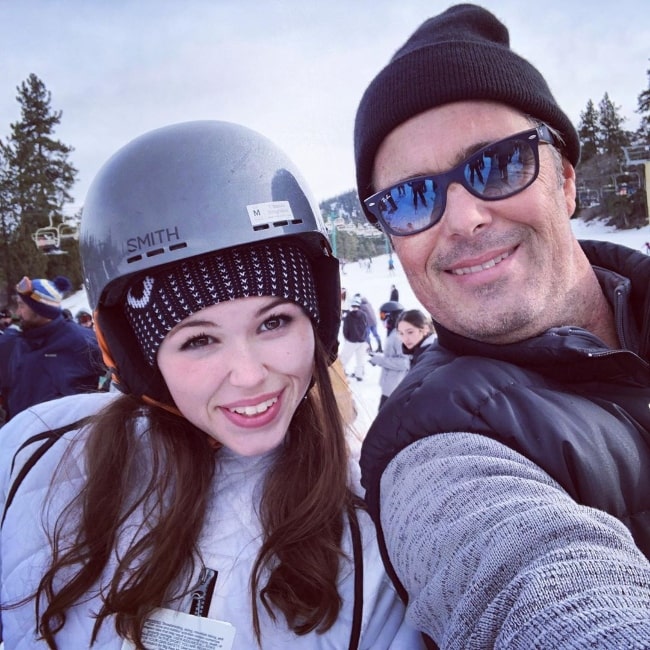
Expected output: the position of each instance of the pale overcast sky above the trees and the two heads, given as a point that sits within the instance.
(291, 69)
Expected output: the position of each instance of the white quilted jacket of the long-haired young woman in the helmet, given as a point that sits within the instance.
(229, 544)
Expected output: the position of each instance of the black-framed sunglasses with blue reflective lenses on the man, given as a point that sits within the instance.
(497, 171)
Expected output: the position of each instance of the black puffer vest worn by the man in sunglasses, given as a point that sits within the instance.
(573, 406)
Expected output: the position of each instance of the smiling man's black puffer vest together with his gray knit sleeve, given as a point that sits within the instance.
(553, 423)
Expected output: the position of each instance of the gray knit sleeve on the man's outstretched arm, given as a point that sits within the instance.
(495, 554)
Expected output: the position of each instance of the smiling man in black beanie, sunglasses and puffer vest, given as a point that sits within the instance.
(534, 403)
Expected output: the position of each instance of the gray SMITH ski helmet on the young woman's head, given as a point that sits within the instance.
(182, 191)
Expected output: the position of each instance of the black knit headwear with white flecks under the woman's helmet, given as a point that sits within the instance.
(156, 303)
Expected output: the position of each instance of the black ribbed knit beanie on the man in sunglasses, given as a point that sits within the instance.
(461, 54)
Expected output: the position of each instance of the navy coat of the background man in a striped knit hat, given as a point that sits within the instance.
(46, 362)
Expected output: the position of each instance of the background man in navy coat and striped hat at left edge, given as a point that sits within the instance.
(52, 356)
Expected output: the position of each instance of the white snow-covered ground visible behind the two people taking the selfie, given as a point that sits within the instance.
(375, 285)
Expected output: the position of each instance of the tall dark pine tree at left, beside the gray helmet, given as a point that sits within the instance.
(36, 179)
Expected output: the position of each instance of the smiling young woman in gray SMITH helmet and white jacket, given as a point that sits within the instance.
(213, 503)
